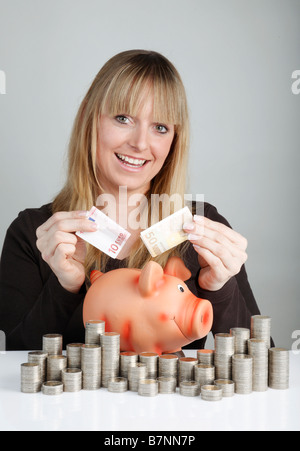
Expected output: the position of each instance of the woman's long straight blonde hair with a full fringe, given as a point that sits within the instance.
(118, 88)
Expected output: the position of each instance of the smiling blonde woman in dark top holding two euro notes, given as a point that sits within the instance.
(131, 131)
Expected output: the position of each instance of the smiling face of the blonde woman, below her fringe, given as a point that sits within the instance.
(131, 150)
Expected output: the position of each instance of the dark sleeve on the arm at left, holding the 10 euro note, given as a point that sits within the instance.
(32, 301)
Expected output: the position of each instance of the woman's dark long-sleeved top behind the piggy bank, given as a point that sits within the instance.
(33, 303)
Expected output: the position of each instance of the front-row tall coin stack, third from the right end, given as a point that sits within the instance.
(242, 373)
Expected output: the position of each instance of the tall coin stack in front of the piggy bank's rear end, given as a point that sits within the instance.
(110, 343)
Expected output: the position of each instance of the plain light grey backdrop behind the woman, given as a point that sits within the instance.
(236, 59)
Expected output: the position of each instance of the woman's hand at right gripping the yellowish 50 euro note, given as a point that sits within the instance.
(221, 251)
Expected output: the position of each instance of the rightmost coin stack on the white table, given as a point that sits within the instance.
(278, 368)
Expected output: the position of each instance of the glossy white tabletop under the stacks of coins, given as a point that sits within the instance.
(104, 411)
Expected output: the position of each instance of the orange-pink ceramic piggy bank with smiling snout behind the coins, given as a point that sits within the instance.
(152, 309)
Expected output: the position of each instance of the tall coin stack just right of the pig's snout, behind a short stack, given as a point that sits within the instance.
(224, 350)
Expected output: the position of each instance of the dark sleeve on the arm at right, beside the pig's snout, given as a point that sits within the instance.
(234, 304)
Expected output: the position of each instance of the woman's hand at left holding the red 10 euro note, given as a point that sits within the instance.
(63, 250)
